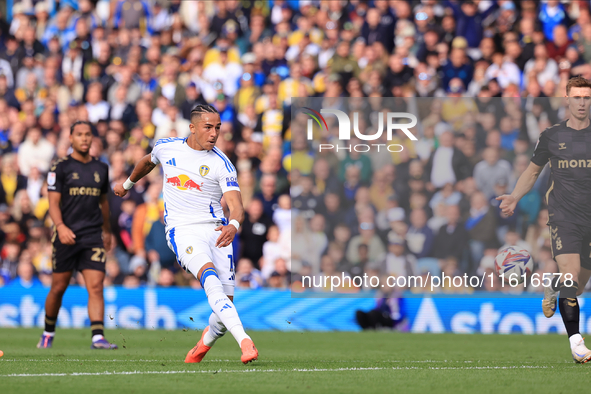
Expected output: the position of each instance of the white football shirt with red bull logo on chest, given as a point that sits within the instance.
(194, 182)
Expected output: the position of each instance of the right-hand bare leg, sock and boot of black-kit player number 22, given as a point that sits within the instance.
(96, 308)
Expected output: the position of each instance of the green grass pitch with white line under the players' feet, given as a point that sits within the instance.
(367, 362)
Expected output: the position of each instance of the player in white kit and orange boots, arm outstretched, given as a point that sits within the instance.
(196, 176)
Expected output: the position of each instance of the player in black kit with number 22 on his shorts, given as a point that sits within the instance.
(78, 187)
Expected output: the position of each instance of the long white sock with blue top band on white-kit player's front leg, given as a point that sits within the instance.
(222, 306)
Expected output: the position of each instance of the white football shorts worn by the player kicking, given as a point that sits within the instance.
(194, 246)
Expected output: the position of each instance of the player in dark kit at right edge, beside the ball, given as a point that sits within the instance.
(567, 146)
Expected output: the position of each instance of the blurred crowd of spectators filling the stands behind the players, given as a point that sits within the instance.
(478, 74)
